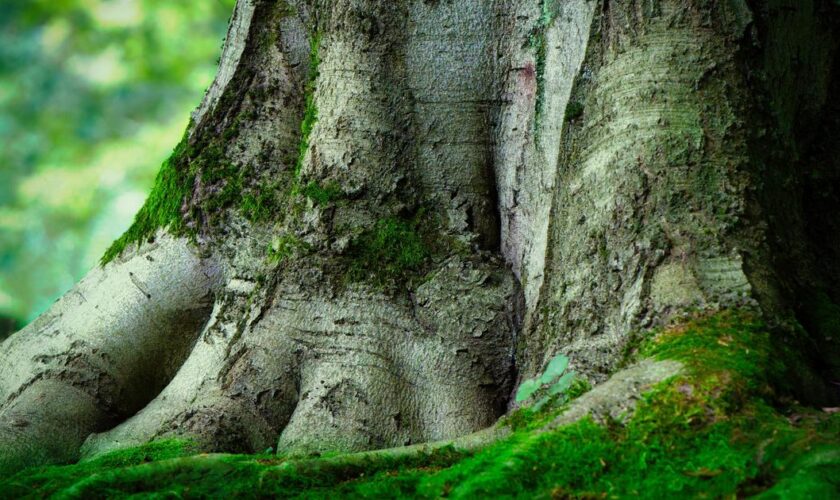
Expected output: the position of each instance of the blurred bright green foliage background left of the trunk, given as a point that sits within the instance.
(94, 94)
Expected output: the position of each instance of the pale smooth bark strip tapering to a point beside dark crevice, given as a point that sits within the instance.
(527, 152)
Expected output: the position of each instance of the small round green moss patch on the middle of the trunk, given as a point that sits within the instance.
(394, 249)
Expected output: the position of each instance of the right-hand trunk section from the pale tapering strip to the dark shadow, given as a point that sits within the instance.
(660, 173)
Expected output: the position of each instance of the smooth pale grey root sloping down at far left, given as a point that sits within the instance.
(101, 352)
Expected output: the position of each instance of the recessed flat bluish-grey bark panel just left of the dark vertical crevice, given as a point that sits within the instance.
(450, 63)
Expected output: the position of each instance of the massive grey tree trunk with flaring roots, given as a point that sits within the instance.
(384, 214)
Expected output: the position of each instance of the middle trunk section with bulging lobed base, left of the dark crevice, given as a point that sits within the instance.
(323, 347)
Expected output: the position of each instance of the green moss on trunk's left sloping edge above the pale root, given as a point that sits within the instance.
(200, 182)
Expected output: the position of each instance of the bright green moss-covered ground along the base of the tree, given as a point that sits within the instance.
(722, 429)
